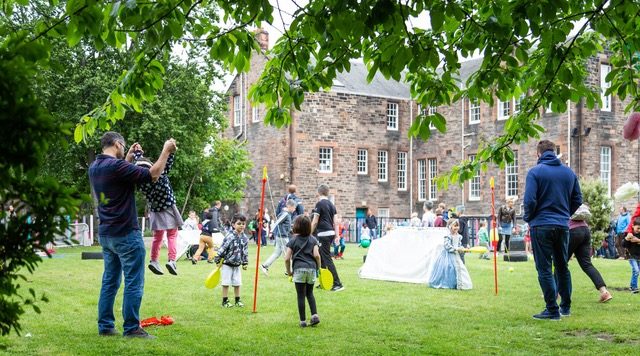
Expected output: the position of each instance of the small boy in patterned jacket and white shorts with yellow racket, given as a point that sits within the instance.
(235, 252)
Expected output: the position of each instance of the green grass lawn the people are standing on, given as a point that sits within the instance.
(369, 317)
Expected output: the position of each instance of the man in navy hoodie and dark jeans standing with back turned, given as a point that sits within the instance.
(552, 194)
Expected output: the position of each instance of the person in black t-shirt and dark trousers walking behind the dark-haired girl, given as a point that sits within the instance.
(324, 226)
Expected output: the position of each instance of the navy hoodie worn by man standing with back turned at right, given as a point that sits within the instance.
(552, 193)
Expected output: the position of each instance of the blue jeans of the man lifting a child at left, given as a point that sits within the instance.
(122, 254)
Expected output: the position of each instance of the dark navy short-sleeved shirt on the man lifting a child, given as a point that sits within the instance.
(114, 181)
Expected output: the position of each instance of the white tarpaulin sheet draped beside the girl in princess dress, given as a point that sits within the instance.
(405, 254)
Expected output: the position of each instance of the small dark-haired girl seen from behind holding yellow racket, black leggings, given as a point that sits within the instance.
(304, 254)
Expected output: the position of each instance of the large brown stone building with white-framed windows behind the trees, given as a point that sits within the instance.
(354, 138)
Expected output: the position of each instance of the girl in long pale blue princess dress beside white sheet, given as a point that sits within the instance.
(448, 270)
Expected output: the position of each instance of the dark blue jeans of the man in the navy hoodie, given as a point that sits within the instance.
(550, 244)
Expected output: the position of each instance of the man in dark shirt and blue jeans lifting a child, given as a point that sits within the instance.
(114, 178)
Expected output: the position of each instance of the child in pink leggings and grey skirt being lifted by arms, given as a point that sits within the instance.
(163, 214)
